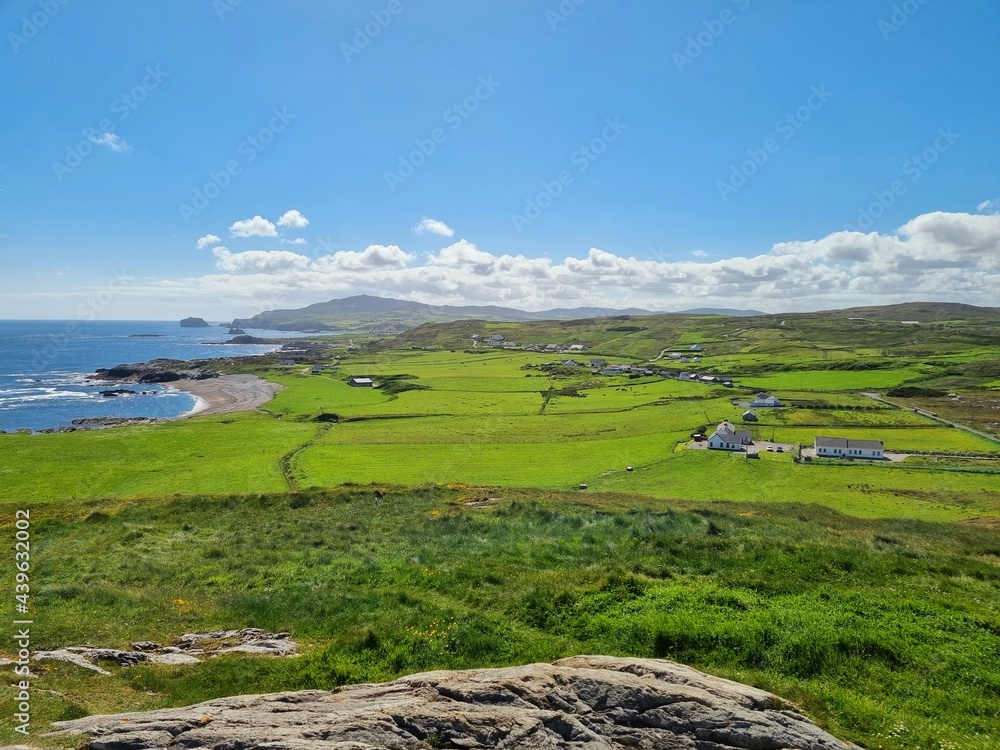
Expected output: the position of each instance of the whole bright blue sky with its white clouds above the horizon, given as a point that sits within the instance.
(744, 153)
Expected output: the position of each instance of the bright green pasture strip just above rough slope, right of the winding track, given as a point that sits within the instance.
(659, 471)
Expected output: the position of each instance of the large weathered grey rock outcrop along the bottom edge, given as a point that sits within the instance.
(590, 702)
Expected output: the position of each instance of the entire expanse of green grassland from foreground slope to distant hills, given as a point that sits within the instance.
(865, 592)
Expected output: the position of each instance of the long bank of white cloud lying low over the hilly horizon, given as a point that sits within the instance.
(935, 257)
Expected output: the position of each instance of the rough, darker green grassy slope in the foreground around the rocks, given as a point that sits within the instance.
(867, 625)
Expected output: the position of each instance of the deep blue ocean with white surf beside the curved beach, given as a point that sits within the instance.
(44, 363)
